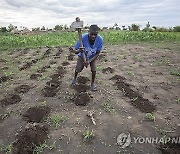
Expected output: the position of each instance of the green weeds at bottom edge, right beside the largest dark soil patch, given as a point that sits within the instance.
(40, 149)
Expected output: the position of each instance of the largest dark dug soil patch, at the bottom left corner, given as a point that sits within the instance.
(33, 135)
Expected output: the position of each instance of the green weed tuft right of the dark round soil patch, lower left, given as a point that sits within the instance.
(56, 120)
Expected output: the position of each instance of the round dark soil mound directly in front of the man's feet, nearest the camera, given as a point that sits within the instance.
(81, 99)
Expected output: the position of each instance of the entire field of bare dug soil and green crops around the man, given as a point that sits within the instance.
(138, 81)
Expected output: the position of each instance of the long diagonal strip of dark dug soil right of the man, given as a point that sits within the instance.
(144, 105)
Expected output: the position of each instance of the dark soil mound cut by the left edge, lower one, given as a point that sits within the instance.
(10, 99)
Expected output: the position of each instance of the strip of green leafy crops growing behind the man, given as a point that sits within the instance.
(11, 41)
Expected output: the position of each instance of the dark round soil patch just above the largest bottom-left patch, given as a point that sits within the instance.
(36, 113)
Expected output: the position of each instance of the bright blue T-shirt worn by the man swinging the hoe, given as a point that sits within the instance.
(90, 50)
